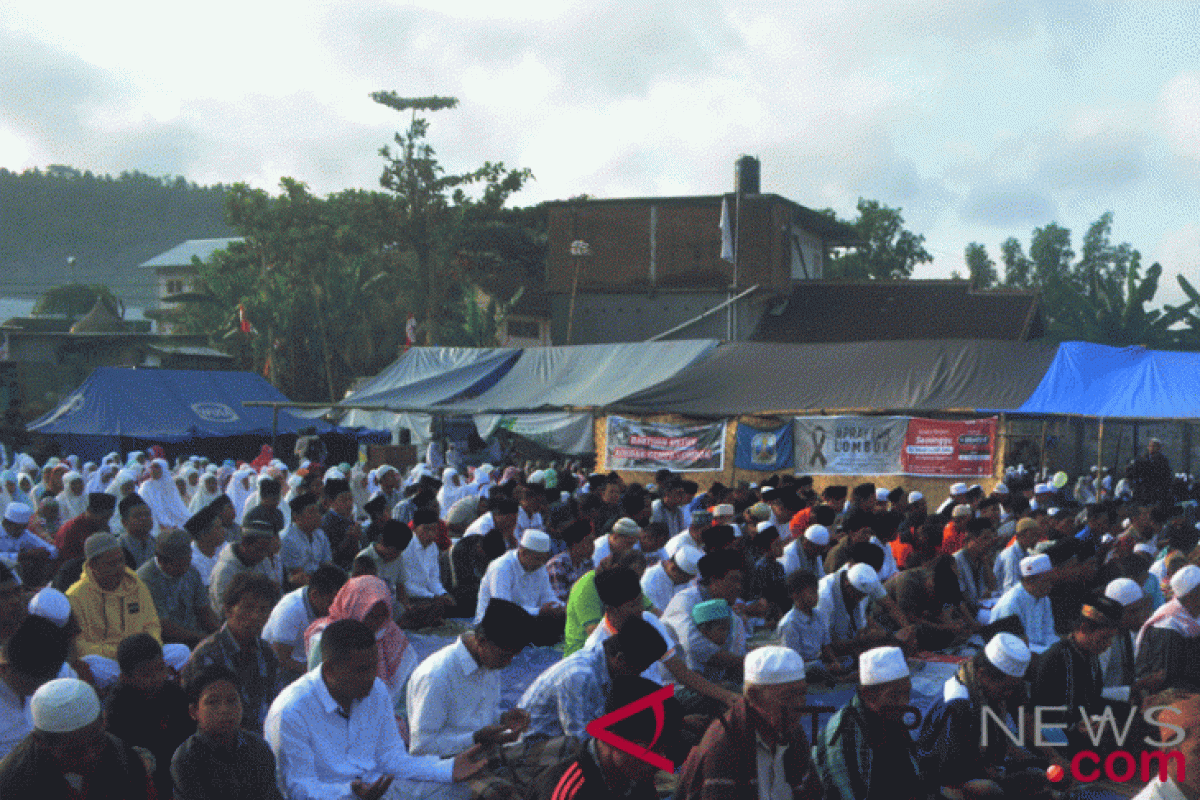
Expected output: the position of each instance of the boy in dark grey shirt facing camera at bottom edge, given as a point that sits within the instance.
(221, 761)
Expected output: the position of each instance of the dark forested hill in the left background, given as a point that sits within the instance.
(110, 226)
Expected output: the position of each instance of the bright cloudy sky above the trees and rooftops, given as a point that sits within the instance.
(982, 121)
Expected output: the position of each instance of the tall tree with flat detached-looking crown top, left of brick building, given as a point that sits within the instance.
(434, 215)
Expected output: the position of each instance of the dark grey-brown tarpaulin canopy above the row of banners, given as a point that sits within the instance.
(916, 376)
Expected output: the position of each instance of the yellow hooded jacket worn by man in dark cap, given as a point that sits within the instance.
(109, 617)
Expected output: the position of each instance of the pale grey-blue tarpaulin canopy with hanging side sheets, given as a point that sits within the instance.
(509, 388)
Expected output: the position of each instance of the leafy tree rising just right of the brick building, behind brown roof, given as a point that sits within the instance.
(889, 251)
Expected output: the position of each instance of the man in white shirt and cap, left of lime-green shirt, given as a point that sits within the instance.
(520, 576)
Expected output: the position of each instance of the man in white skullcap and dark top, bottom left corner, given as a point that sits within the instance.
(69, 751)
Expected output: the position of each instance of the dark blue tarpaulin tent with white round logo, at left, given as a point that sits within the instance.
(184, 411)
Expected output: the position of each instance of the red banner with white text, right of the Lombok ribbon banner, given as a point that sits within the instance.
(950, 448)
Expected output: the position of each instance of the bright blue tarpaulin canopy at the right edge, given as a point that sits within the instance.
(1117, 383)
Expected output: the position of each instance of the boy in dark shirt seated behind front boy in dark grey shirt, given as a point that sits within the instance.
(146, 709)
